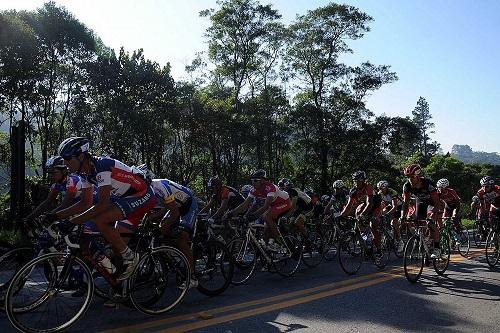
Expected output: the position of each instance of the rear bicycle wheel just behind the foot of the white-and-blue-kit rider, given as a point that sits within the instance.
(214, 267)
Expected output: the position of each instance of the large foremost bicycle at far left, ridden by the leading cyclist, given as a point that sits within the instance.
(38, 286)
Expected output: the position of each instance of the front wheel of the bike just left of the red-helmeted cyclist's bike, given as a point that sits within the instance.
(351, 252)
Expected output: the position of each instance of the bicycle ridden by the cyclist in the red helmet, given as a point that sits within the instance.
(418, 248)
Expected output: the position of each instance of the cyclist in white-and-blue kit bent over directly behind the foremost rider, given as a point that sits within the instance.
(177, 215)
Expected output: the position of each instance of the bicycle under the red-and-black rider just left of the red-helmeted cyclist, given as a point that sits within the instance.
(356, 246)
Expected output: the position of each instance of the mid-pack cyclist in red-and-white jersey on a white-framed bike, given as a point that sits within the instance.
(276, 204)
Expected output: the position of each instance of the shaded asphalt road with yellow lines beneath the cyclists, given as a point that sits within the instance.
(325, 299)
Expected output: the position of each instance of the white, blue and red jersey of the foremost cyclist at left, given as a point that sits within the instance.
(108, 171)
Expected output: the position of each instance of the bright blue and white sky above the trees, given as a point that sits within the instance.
(446, 51)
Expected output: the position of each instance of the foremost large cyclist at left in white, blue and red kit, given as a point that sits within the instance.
(121, 195)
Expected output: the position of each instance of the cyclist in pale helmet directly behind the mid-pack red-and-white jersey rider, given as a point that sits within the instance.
(302, 206)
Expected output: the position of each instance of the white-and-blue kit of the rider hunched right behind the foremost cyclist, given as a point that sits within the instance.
(168, 191)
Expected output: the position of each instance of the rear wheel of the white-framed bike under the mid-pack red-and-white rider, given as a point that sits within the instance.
(287, 262)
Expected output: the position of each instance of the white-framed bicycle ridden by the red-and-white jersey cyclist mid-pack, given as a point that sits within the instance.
(248, 249)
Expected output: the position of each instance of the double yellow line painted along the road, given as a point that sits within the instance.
(259, 306)
